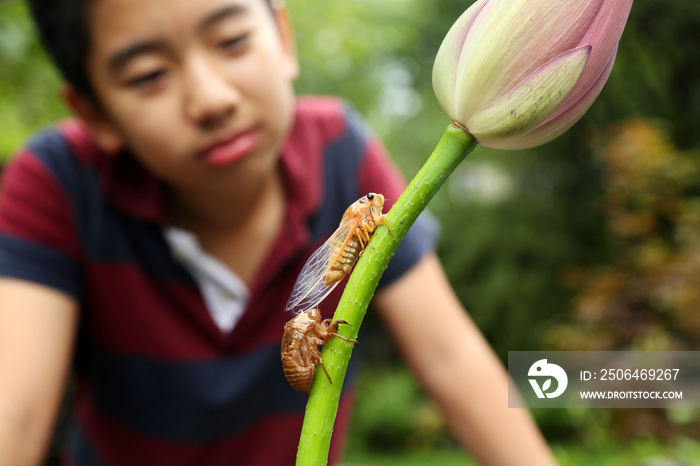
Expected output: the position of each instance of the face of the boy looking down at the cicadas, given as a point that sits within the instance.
(199, 90)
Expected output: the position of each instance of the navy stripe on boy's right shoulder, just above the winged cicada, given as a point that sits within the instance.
(341, 164)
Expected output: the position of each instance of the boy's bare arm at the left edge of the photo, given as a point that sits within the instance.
(37, 329)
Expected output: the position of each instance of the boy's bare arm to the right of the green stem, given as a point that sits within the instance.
(458, 368)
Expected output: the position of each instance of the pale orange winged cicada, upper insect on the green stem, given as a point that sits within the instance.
(335, 258)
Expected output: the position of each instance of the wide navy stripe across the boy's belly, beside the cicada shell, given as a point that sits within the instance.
(195, 401)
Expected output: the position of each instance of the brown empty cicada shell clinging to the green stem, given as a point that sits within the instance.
(300, 355)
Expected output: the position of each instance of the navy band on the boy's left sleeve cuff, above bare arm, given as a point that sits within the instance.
(30, 261)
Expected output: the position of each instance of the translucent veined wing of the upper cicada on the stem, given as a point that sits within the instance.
(309, 290)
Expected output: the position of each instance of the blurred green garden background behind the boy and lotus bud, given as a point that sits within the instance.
(590, 242)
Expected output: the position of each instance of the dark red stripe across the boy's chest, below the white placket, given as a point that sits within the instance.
(168, 320)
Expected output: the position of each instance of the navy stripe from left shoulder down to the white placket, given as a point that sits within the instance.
(106, 234)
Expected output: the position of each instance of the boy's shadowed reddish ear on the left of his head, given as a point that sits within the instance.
(101, 128)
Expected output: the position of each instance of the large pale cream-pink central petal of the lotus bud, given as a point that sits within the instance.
(510, 39)
